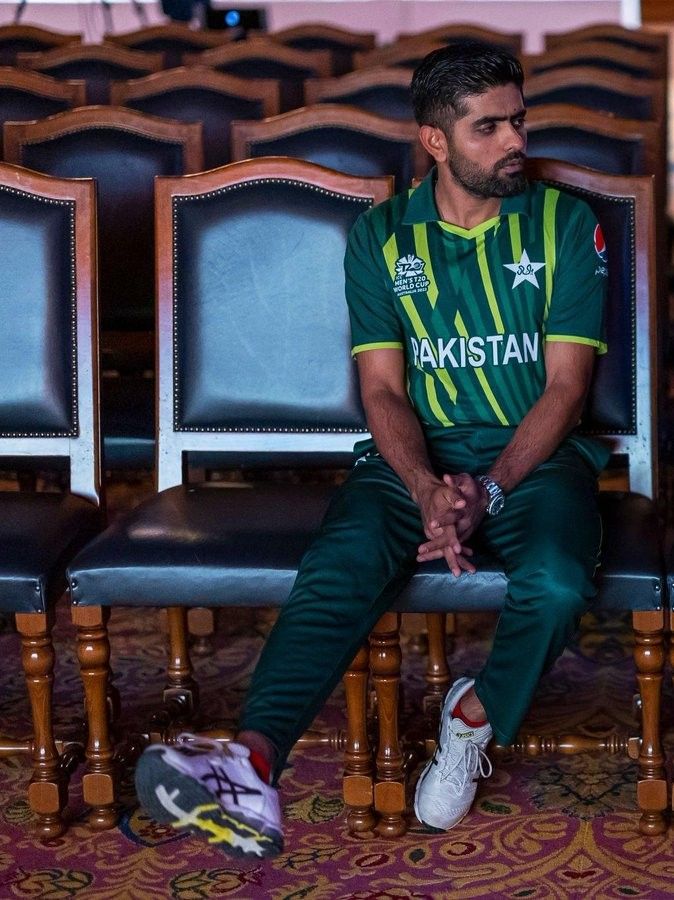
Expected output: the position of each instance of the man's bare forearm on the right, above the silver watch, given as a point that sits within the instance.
(538, 435)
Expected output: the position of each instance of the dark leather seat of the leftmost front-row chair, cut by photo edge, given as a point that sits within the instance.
(39, 533)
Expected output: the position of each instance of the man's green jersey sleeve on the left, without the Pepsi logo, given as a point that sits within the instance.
(374, 321)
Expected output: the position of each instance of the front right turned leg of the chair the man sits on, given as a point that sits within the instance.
(649, 657)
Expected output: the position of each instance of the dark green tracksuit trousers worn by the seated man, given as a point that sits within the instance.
(547, 536)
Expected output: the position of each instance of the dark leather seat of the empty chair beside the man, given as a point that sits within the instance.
(202, 546)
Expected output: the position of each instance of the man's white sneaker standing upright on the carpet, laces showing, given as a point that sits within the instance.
(446, 787)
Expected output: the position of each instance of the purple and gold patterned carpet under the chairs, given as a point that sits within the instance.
(558, 827)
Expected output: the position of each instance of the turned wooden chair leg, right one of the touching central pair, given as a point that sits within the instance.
(389, 789)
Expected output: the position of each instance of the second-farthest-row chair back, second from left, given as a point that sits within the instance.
(260, 58)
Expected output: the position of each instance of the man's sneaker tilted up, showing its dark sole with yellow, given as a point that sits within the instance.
(209, 788)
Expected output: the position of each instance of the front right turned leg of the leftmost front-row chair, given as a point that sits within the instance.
(48, 790)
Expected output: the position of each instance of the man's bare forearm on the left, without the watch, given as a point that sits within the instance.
(397, 433)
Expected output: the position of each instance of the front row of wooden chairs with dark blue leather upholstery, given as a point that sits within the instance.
(237, 388)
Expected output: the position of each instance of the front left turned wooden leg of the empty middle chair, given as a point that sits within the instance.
(93, 652)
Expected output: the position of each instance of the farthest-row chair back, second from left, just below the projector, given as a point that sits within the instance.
(172, 39)
